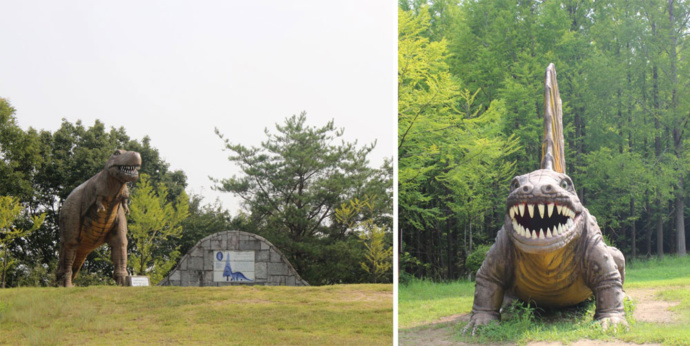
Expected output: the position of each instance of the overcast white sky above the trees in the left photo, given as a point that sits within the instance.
(174, 70)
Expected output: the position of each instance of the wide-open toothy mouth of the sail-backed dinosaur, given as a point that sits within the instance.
(542, 220)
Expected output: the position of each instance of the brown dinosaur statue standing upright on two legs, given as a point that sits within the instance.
(94, 214)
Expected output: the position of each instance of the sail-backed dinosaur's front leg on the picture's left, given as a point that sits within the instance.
(492, 281)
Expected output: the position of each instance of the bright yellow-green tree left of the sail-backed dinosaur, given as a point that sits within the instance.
(452, 154)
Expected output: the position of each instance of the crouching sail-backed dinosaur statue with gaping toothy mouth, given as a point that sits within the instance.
(550, 250)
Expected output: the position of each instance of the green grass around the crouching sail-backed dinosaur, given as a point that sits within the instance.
(424, 304)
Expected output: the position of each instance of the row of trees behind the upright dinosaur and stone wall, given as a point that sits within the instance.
(305, 189)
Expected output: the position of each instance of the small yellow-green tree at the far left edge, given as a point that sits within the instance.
(10, 211)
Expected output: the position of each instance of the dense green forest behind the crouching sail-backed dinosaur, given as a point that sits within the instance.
(470, 78)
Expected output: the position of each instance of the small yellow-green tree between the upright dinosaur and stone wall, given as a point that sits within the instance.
(153, 221)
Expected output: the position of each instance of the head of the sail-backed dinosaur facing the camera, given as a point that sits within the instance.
(543, 211)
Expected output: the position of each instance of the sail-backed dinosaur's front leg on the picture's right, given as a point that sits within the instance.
(605, 279)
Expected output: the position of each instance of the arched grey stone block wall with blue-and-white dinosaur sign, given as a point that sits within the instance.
(256, 262)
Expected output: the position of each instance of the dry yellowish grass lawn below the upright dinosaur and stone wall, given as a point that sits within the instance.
(341, 314)
